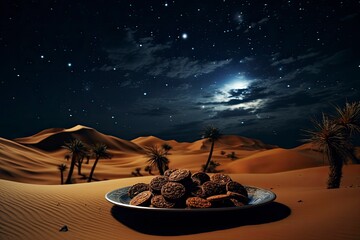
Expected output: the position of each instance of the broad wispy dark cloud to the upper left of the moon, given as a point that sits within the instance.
(147, 56)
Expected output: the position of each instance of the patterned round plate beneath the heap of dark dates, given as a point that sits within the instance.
(257, 196)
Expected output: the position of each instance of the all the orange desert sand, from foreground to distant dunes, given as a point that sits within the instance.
(33, 204)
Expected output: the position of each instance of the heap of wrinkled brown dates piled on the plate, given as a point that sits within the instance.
(179, 188)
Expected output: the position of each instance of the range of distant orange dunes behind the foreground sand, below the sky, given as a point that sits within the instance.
(35, 159)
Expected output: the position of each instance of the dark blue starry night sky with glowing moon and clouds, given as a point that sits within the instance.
(259, 69)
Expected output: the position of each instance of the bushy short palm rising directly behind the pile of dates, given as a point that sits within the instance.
(157, 157)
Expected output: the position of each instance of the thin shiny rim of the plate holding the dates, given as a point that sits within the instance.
(271, 199)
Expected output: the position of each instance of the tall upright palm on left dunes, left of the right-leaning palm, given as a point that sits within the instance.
(77, 149)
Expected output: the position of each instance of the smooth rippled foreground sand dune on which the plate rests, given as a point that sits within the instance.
(304, 209)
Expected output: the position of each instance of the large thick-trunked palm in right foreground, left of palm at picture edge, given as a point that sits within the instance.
(331, 140)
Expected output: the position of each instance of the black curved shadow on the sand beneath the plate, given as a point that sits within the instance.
(183, 223)
